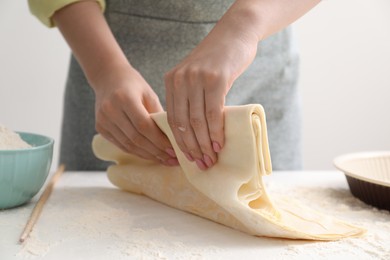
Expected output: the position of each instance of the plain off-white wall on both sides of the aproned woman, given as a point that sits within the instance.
(345, 77)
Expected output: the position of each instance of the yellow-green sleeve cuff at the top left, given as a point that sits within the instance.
(44, 9)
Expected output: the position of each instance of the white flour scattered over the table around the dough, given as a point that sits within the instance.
(109, 219)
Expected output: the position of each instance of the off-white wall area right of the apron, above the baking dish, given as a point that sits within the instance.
(345, 79)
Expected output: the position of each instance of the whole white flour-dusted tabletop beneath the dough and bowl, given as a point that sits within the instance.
(87, 217)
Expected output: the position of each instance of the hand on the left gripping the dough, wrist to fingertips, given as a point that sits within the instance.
(124, 101)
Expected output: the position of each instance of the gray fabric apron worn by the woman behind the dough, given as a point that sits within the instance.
(155, 36)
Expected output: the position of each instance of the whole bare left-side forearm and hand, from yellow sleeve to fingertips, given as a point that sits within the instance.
(124, 100)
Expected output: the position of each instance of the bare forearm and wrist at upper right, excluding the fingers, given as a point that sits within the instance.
(247, 22)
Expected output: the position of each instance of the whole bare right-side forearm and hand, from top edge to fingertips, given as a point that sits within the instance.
(196, 88)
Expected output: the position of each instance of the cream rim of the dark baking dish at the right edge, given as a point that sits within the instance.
(361, 155)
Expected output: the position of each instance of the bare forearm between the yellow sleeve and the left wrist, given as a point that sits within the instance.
(87, 33)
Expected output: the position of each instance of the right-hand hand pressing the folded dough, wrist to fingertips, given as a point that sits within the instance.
(196, 90)
